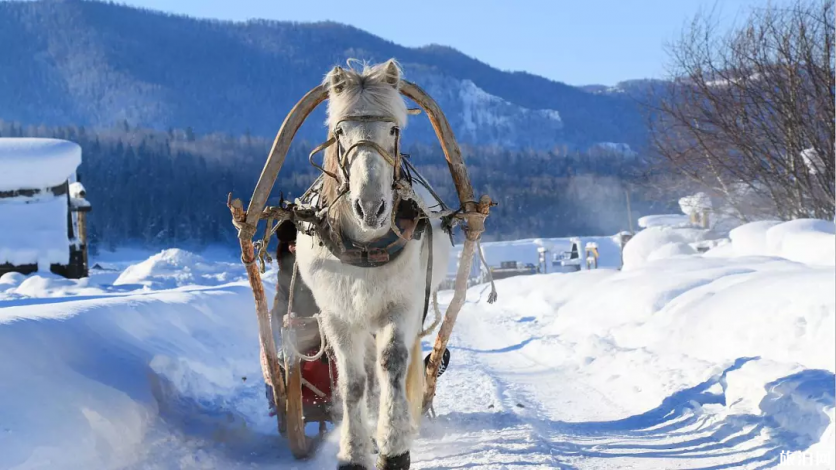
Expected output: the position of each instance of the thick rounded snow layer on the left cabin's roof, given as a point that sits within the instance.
(30, 163)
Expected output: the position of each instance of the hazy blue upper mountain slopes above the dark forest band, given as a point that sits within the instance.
(88, 63)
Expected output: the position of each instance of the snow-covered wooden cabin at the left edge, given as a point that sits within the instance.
(43, 208)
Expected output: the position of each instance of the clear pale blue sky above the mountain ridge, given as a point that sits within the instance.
(574, 41)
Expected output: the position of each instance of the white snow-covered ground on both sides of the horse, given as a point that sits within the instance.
(686, 360)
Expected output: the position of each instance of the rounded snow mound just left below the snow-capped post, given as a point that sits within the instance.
(658, 243)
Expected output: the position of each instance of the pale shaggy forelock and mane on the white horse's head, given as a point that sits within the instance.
(369, 90)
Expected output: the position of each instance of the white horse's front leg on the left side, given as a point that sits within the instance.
(349, 346)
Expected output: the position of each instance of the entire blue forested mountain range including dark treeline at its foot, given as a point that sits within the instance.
(173, 112)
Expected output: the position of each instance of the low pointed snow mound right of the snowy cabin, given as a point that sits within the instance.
(174, 268)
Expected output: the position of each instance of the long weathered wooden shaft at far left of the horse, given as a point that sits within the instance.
(269, 359)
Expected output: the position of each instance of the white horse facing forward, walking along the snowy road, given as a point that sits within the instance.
(365, 115)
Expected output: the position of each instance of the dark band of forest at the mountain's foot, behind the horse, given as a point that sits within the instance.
(157, 188)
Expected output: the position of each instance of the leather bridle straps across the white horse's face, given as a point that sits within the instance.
(344, 154)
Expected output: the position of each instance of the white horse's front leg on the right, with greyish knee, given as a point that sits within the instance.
(395, 426)
